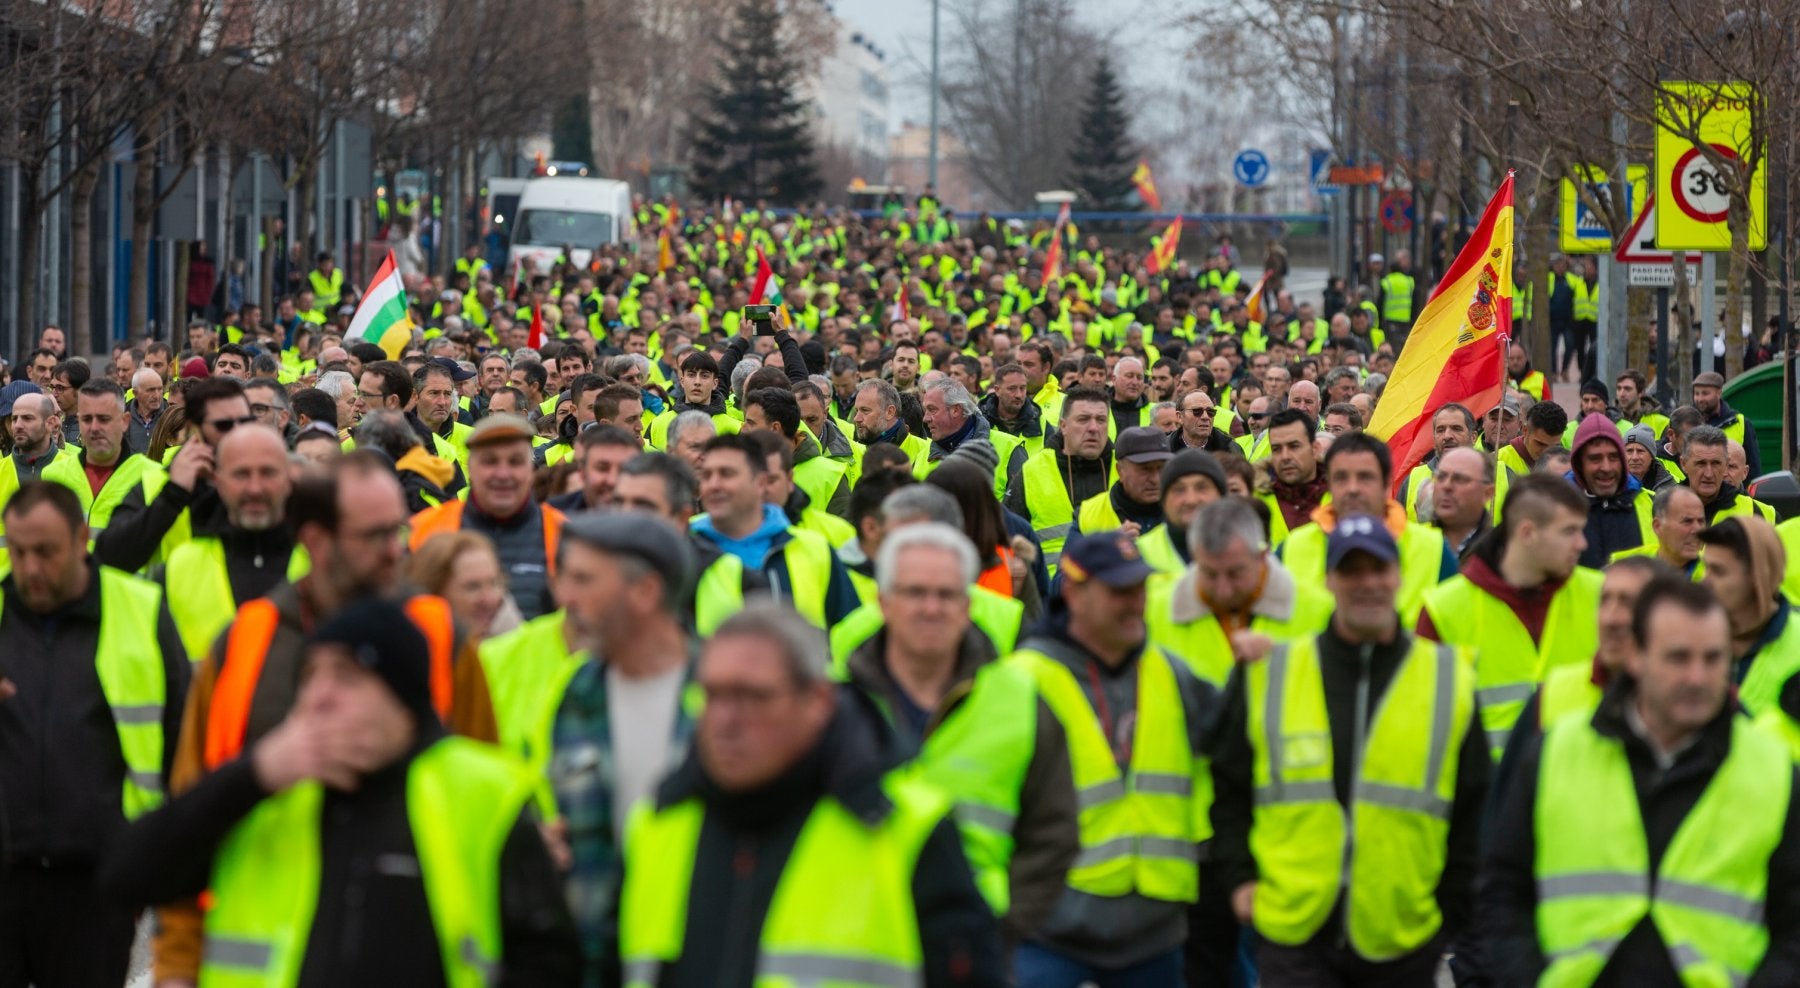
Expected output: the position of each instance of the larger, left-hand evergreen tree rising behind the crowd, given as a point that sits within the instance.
(755, 139)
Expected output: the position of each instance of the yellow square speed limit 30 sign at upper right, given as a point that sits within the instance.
(1695, 120)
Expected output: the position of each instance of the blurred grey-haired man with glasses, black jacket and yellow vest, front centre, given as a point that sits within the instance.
(782, 751)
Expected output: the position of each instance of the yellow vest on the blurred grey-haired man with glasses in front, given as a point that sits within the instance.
(843, 910)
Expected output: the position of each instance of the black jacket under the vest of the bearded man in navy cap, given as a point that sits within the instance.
(1340, 663)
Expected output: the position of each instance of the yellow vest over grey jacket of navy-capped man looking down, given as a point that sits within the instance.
(1142, 827)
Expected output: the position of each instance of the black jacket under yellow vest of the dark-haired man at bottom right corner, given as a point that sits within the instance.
(1509, 888)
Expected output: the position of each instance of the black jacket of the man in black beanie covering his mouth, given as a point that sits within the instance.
(373, 922)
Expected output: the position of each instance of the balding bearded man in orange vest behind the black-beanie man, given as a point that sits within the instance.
(352, 525)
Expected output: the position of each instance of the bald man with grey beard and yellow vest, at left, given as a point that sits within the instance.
(247, 553)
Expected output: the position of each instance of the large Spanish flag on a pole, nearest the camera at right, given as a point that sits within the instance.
(1459, 346)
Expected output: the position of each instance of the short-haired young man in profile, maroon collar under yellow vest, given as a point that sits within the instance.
(1522, 600)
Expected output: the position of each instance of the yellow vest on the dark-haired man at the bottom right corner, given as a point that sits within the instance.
(1709, 890)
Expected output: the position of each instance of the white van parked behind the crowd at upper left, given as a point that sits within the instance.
(570, 213)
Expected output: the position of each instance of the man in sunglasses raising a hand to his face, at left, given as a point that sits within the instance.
(147, 530)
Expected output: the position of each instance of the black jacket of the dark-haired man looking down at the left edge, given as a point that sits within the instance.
(62, 773)
